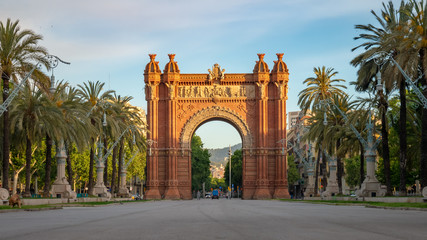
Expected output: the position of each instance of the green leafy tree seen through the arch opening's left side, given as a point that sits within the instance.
(200, 164)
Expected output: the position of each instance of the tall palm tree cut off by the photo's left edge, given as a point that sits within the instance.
(18, 49)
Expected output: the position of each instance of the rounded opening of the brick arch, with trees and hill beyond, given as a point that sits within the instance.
(218, 136)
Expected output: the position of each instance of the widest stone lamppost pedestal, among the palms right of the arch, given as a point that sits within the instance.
(371, 187)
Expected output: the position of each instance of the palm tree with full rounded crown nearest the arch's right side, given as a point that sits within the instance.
(320, 88)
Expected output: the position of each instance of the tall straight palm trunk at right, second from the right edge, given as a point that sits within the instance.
(403, 138)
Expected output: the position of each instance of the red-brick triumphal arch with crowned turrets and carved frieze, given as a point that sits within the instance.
(254, 103)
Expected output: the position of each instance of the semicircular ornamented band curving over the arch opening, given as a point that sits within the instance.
(219, 113)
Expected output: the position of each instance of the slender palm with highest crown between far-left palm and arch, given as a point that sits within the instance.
(91, 93)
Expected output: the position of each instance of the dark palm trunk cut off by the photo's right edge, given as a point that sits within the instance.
(423, 154)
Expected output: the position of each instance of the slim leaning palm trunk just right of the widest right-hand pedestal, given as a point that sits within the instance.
(386, 149)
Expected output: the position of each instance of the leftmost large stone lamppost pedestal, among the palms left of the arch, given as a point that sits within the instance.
(61, 188)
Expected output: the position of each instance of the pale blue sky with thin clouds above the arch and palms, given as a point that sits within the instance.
(110, 40)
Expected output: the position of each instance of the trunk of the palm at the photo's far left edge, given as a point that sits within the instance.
(6, 133)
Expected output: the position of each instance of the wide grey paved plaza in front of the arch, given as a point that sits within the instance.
(215, 219)
